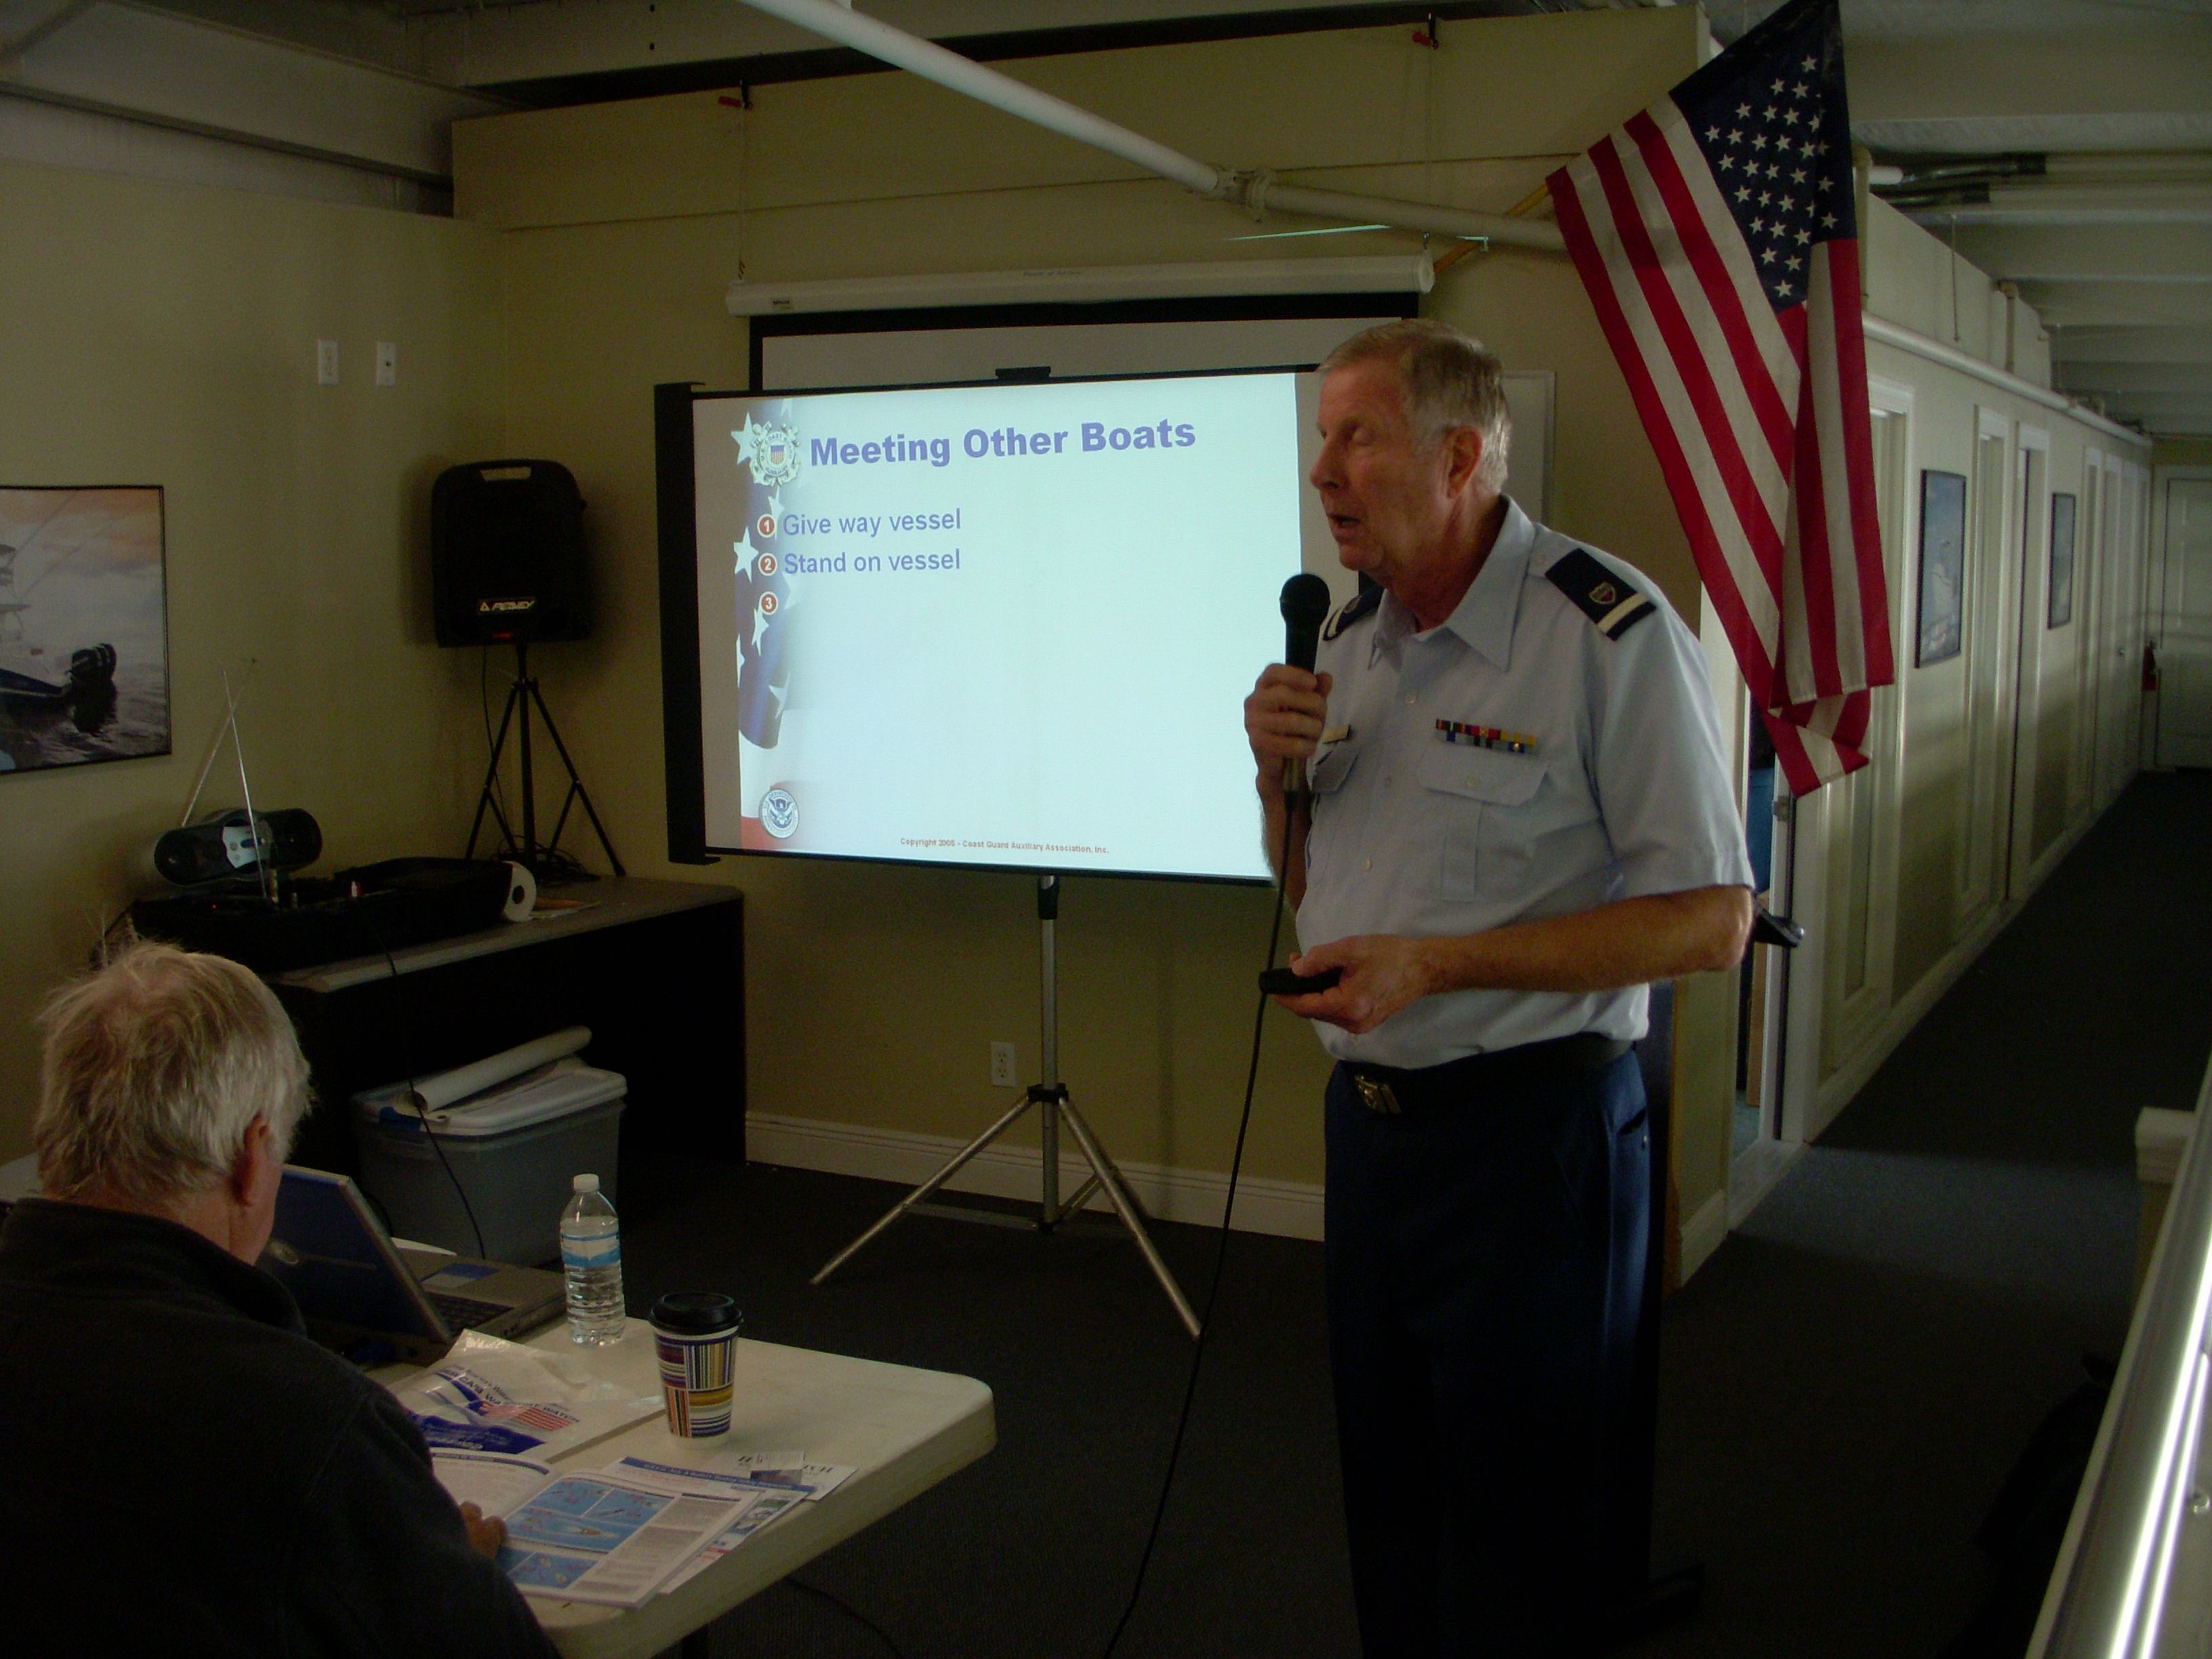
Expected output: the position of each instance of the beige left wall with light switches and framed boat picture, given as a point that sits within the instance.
(165, 335)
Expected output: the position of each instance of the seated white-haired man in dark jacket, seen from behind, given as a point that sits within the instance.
(185, 1472)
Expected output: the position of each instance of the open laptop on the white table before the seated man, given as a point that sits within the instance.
(357, 1286)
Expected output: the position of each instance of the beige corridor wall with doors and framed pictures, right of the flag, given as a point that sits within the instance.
(1912, 864)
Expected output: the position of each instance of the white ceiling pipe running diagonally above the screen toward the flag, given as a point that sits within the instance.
(1255, 191)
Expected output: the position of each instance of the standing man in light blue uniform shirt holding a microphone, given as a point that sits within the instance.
(1516, 820)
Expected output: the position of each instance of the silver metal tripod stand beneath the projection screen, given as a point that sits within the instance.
(1054, 1105)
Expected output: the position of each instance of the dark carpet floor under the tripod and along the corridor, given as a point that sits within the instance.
(1844, 1386)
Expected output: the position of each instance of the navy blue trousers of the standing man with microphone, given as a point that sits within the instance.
(1485, 1271)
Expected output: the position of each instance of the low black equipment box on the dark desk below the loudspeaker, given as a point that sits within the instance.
(359, 912)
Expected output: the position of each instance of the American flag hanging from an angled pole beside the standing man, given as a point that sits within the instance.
(1720, 247)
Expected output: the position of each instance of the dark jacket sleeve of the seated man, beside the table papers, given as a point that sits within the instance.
(384, 1565)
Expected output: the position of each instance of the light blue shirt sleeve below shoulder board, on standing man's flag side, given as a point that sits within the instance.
(1660, 766)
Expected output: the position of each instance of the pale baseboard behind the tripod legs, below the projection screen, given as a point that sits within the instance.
(1284, 1209)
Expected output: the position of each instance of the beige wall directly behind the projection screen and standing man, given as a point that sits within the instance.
(873, 994)
